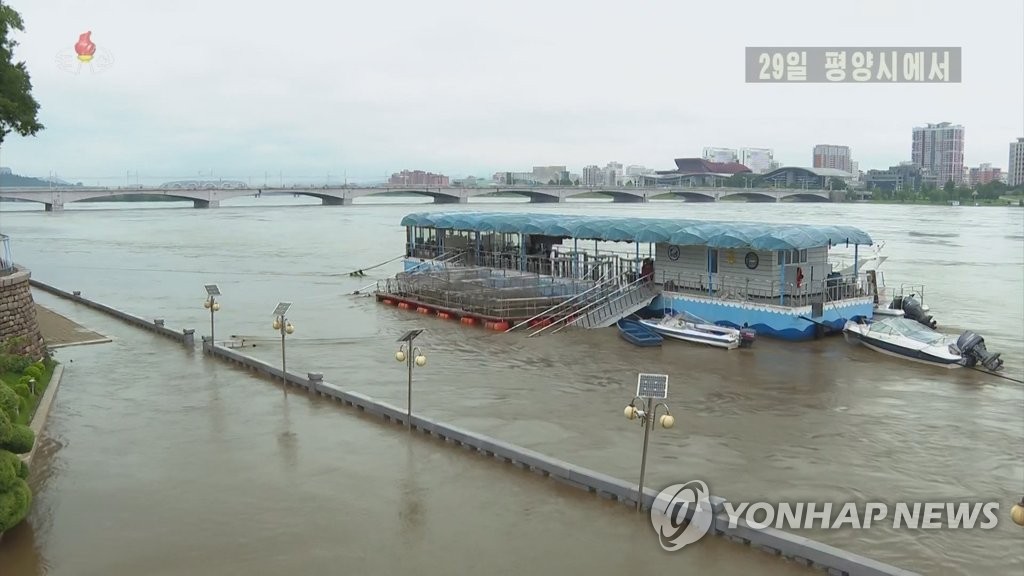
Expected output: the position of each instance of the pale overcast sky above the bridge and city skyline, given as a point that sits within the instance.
(309, 88)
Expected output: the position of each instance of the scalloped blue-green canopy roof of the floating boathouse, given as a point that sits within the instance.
(716, 234)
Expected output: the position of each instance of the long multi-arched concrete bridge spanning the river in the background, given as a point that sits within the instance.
(209, 197)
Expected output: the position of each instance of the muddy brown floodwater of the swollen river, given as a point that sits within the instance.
(162, 461)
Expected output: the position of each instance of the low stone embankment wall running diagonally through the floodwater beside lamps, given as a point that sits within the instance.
(774, 543)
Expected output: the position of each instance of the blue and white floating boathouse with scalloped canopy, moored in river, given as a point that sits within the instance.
(549, 272)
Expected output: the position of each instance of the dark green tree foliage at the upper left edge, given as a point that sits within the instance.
(19, 110)
